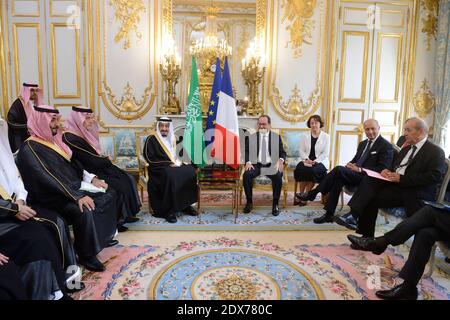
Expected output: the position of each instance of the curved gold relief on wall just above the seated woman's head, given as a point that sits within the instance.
(295, 109)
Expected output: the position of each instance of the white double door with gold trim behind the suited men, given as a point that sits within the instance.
(372, 50)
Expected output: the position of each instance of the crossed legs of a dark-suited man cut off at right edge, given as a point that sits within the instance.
(427, 225)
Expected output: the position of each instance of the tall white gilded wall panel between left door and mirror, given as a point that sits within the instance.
(127, 78)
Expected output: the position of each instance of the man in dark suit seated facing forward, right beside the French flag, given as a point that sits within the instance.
(264, 154)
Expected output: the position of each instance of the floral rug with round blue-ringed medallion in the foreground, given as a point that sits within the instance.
(226, 269)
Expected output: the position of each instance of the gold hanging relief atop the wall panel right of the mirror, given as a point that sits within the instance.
(300, 27)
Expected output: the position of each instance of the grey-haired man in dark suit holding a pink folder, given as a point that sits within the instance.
(417, 172)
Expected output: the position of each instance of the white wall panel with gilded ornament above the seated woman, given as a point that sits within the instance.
(297, 70)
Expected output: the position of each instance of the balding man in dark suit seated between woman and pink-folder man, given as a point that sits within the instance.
(374, 153)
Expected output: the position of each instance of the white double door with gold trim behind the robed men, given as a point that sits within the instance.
(45, 44)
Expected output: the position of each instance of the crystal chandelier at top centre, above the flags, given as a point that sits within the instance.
(210, 46)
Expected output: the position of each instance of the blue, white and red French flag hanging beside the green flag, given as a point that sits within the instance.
(226, 142)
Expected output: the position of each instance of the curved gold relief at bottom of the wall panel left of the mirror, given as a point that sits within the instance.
(129, 107)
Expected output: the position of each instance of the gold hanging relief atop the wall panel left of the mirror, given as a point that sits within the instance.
(128, 13)
